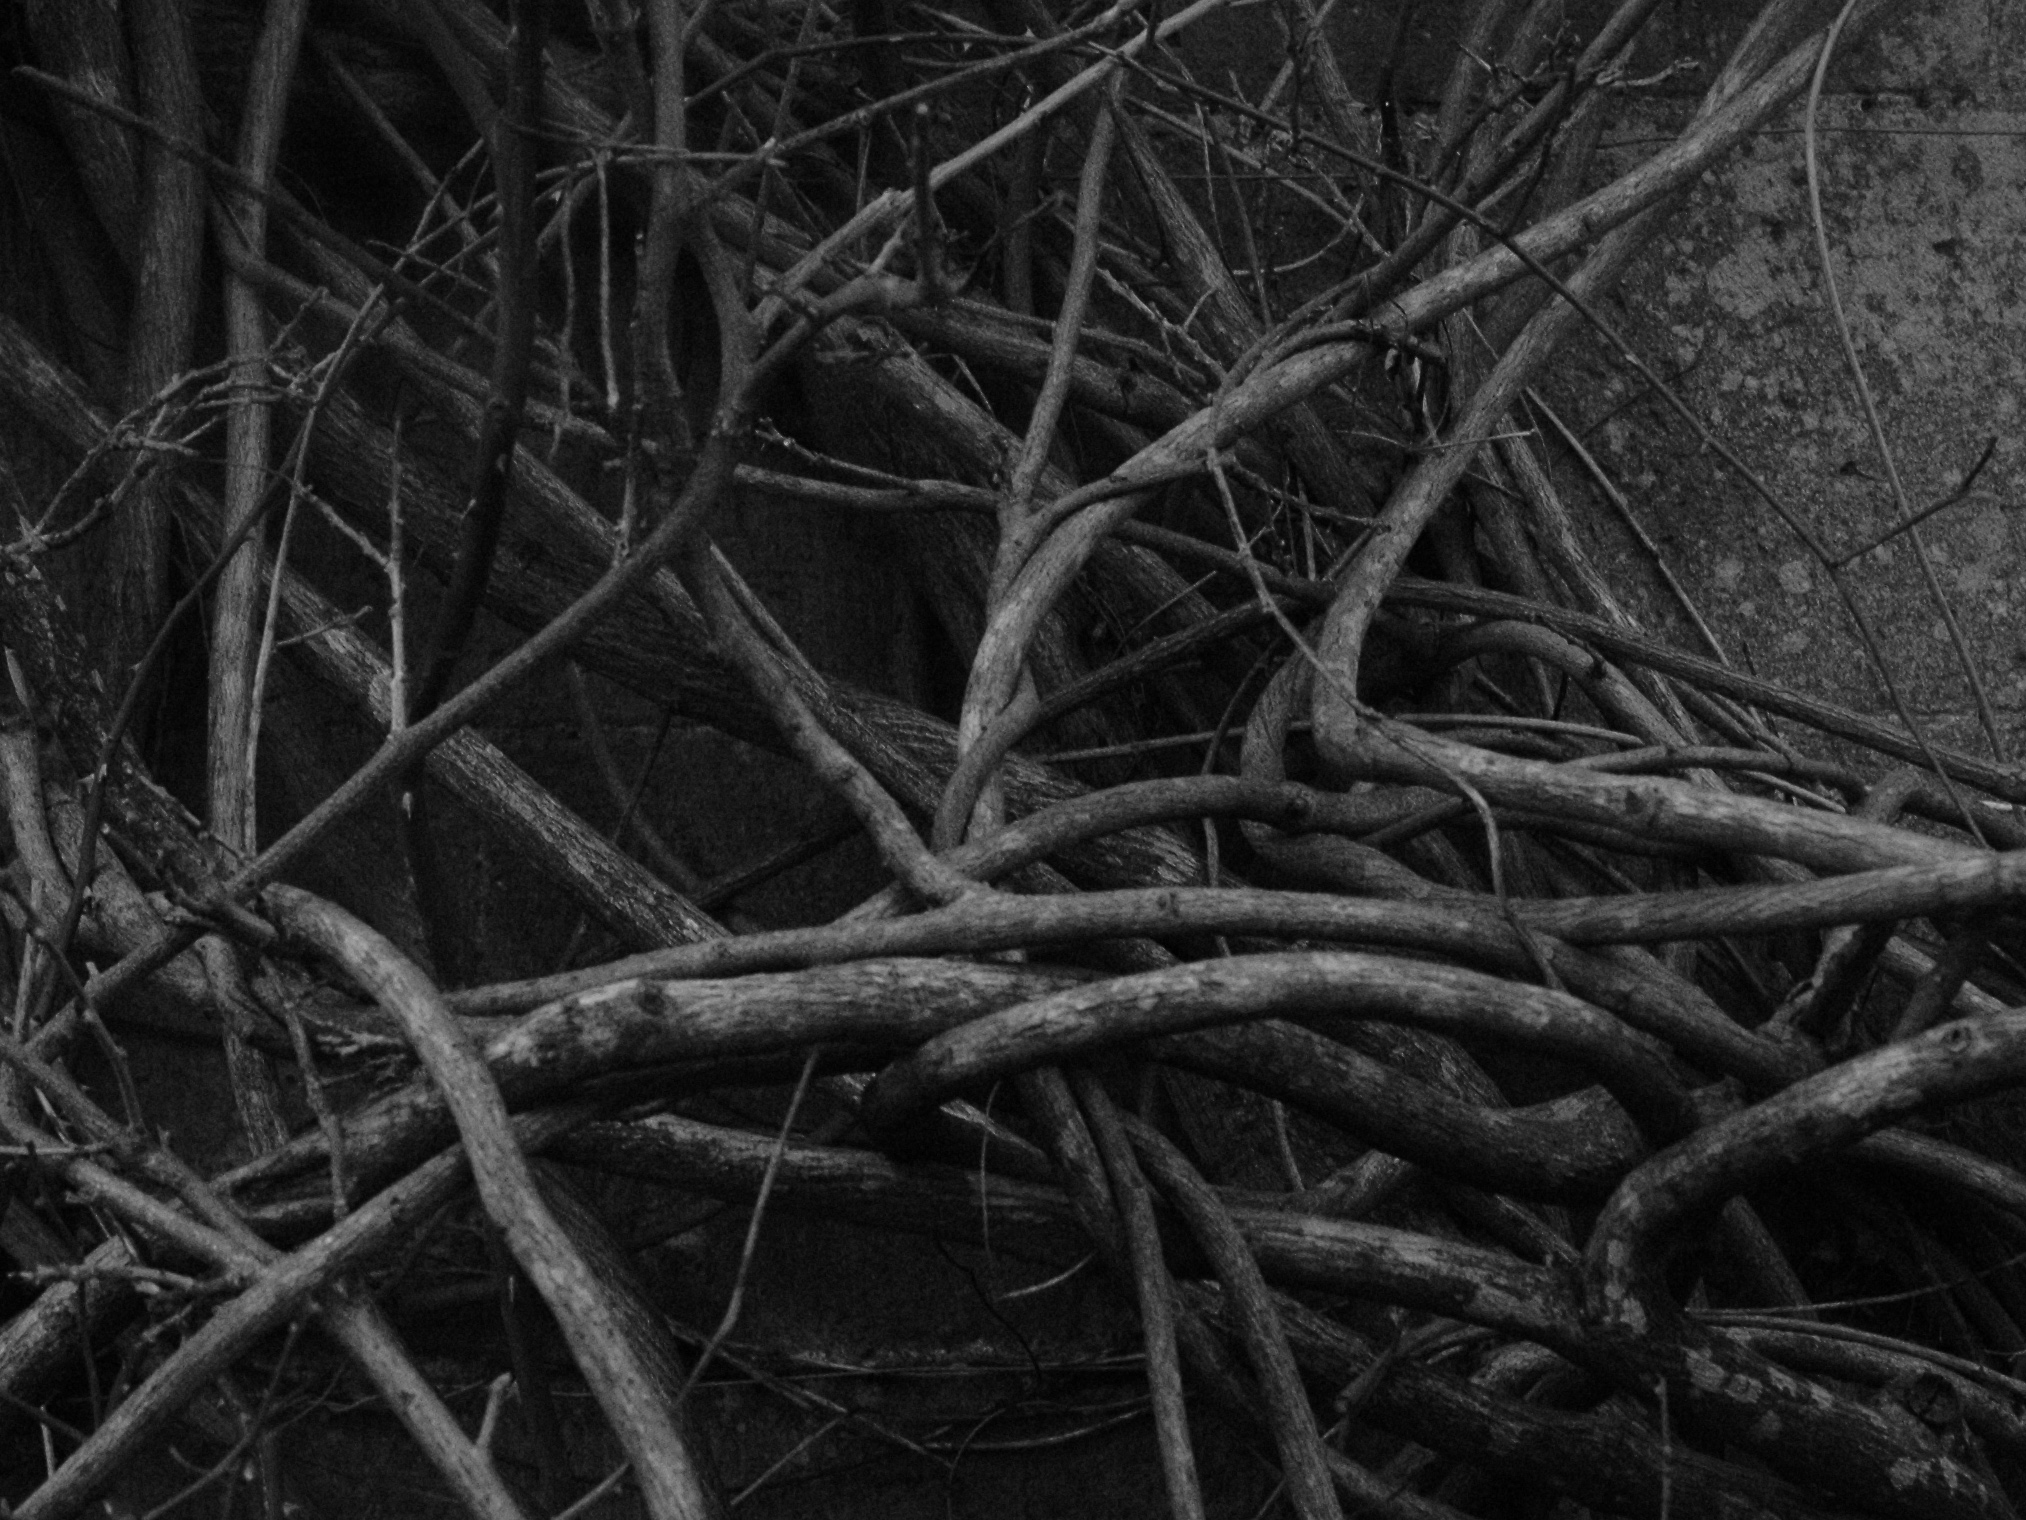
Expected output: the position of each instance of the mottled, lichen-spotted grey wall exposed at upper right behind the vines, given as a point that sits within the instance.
(1924, 187)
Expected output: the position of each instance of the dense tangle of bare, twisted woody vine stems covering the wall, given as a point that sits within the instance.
(1371, 787)
